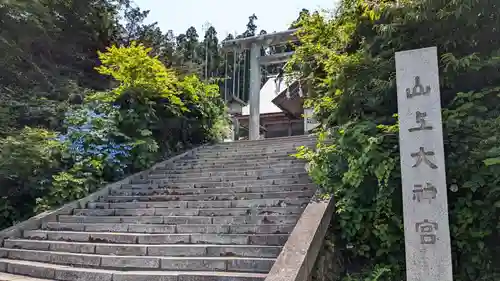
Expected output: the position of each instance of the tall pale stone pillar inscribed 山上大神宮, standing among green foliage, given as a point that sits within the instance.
(425, 212)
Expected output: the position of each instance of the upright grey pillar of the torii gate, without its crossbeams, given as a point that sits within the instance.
(254, 100)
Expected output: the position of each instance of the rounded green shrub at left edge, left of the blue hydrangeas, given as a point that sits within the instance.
(27, 161)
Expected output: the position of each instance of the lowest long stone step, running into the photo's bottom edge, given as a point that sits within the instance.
(69, 273)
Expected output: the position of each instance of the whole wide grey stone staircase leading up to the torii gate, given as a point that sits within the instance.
(221, 213)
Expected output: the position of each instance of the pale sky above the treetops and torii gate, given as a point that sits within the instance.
(227, 16)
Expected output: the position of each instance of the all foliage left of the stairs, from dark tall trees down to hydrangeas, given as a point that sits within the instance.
(75, 114)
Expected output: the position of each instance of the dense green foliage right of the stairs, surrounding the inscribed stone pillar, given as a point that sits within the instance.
(349, 61)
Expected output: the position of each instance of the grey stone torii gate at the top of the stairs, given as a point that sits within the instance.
(255, 43)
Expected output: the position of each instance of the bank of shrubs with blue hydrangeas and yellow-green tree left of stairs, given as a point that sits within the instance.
(110, 134)
